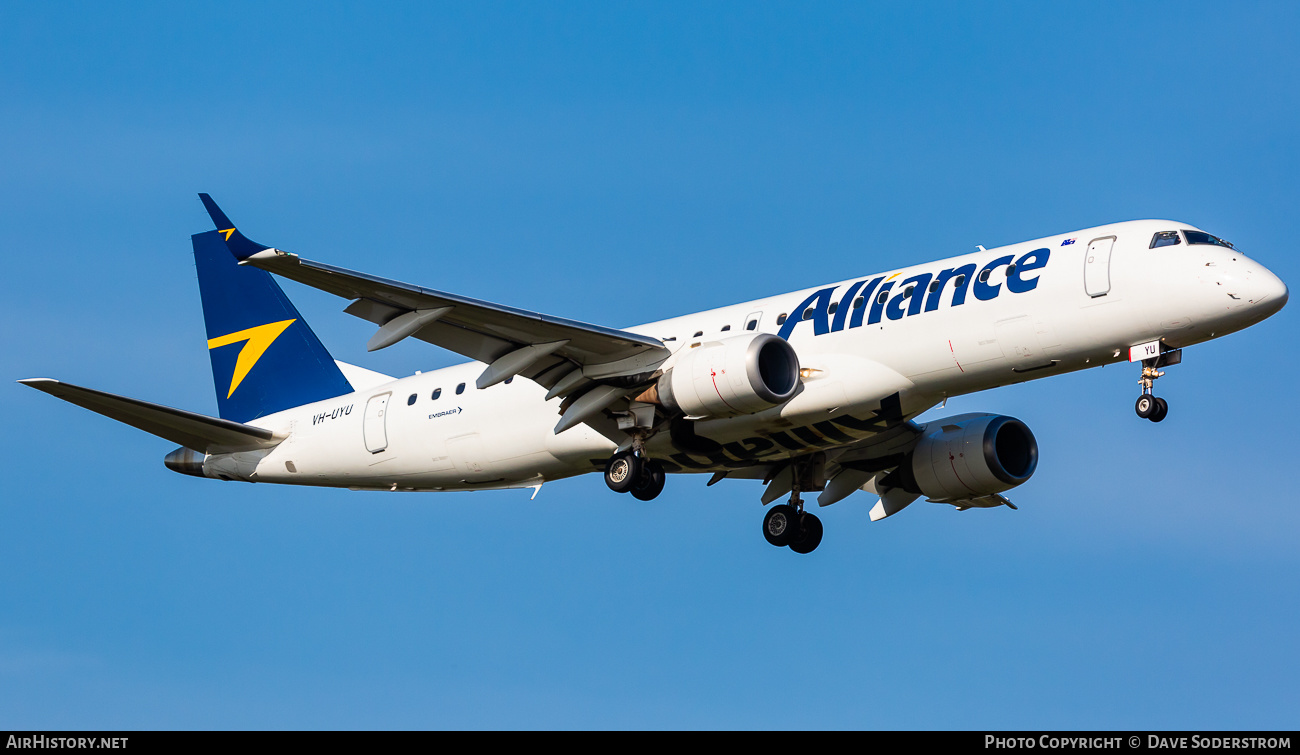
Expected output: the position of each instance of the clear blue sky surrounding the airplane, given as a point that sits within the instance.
(618, 164)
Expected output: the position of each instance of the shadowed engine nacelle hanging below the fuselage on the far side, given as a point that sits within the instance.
(973, 455)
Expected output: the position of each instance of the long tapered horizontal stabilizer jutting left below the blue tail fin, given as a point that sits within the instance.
(189, 429)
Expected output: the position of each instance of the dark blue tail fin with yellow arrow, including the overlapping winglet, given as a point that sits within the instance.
(265, 357)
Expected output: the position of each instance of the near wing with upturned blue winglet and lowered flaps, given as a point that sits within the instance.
(562, 355)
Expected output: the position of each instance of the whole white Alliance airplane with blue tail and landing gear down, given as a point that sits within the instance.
(814, 392)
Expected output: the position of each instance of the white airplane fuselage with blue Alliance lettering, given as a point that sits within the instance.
(1065, 307)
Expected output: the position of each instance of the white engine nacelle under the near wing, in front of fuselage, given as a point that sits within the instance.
(736, 376)
